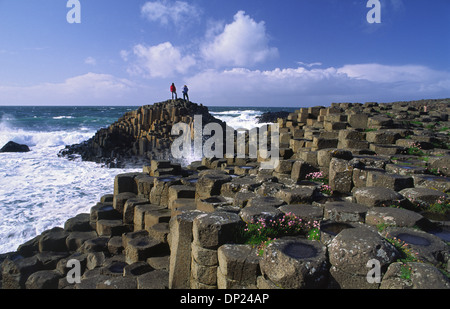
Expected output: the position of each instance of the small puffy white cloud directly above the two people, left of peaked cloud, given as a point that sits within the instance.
(163, 60)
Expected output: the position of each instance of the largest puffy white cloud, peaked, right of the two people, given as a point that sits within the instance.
(244, 42)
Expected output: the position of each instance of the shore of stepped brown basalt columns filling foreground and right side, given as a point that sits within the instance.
(373, 177)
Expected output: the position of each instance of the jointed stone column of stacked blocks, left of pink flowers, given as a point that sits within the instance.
(210, 231)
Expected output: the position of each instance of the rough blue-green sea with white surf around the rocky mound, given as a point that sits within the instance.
(39, 190)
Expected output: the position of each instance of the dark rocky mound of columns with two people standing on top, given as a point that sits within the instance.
(140, 135)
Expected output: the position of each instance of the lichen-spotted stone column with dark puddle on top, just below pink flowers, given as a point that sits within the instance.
(295, 263)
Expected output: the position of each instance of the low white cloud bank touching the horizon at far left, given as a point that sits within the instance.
(87, 89)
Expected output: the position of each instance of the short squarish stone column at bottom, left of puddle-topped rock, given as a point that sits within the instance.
(238, 266)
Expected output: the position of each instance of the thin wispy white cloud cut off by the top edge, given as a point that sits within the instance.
(166, 12)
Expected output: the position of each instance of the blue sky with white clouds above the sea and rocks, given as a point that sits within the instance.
(230, 53)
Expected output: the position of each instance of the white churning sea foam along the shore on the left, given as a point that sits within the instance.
(39, 190)
